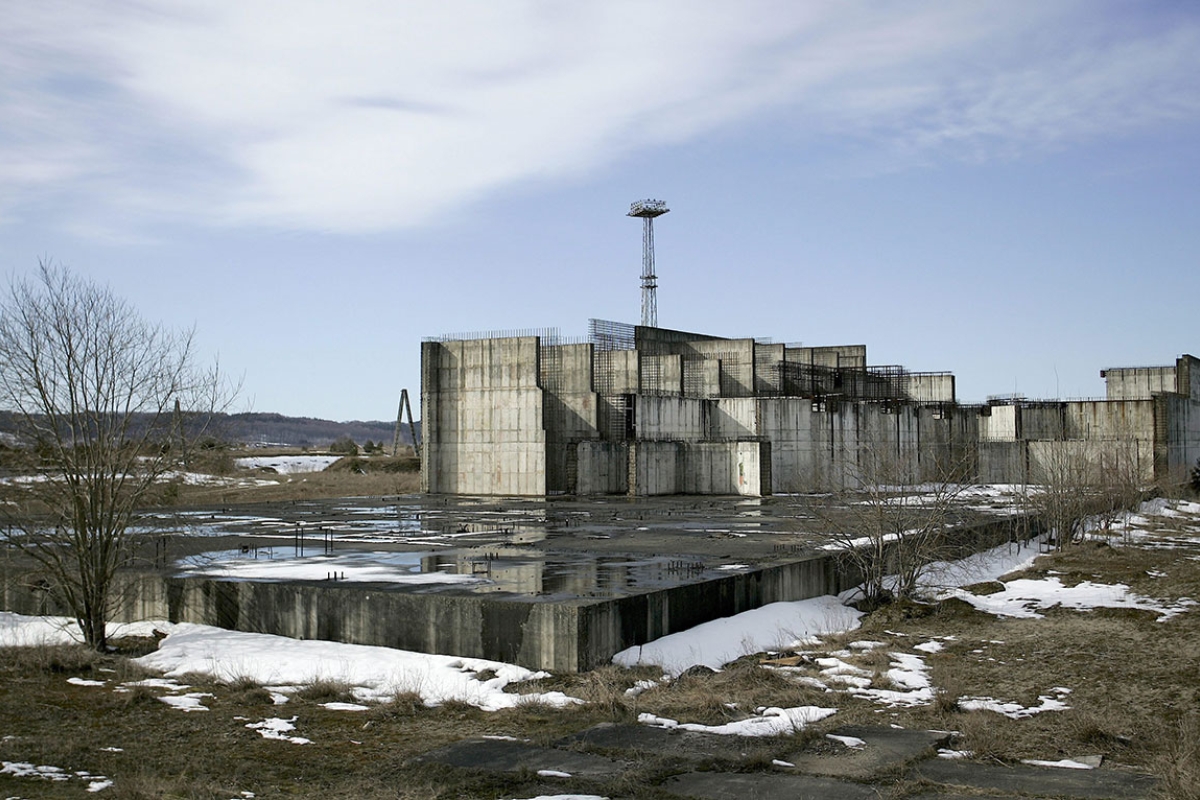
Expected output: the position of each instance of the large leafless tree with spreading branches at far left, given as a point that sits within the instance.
(104, 404)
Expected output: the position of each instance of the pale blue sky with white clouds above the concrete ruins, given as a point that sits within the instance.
(1007, 191)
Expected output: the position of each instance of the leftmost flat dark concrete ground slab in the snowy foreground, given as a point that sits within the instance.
(505, 756)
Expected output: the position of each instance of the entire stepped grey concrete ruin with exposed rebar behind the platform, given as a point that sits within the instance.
(647, 411)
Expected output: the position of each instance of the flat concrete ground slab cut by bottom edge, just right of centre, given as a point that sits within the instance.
(763, 786)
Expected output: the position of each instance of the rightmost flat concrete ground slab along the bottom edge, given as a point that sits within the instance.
(1039, 781)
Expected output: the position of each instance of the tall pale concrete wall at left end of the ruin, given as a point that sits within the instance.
(482, 412)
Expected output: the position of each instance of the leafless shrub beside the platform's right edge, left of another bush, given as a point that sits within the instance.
(895, 525)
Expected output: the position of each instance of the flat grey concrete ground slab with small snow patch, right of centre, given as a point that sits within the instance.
(884, 750)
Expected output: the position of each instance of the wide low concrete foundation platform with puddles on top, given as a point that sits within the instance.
(549, 585)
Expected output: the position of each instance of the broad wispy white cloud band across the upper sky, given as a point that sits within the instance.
(370, 116)
